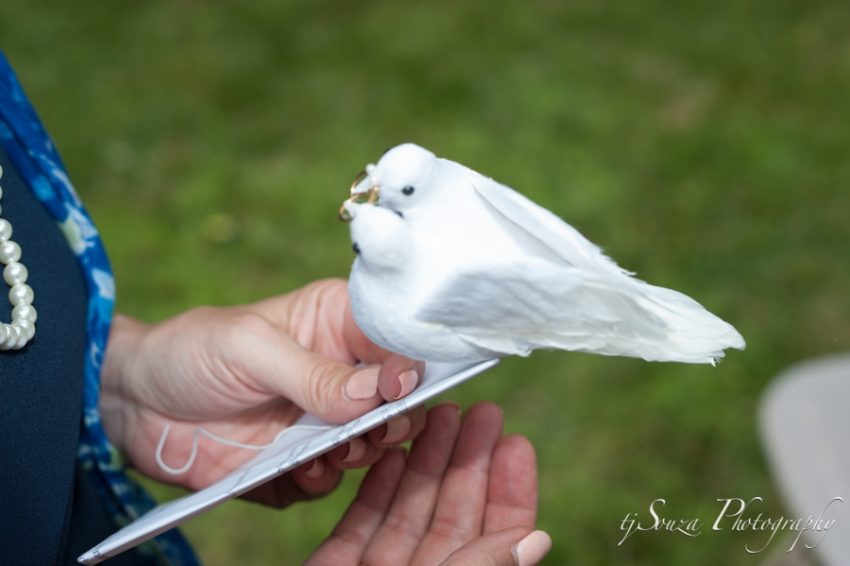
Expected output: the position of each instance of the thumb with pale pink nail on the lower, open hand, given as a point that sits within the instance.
(508, 547)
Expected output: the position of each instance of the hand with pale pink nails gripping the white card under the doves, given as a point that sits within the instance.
(245, 373)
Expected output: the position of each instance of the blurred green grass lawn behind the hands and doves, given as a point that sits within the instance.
(704, 145)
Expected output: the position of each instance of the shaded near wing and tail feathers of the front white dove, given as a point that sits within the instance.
(494, 307)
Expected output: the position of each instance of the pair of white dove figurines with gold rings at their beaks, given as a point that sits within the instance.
(453, 266)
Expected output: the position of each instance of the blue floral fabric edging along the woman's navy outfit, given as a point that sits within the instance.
(28, 145)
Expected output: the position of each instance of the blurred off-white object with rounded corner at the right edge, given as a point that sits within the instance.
(805, 426)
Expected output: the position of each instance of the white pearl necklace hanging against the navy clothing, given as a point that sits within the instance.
(15, 335)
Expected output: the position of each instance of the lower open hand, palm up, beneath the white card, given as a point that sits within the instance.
(465, 495)
